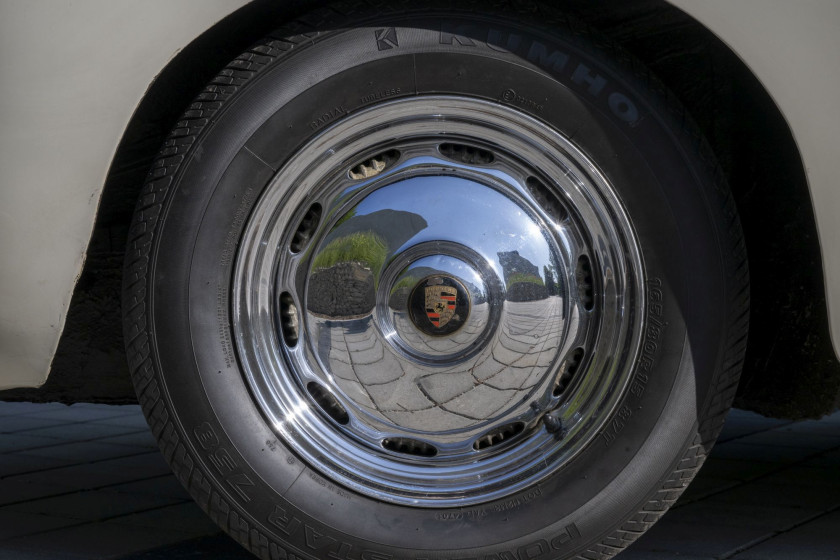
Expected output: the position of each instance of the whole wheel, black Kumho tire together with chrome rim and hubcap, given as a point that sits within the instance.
(292, 253)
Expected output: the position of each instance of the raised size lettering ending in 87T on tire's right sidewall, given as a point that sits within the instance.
(654, 326)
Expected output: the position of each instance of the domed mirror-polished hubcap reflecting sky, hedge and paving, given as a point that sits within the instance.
(469, 368)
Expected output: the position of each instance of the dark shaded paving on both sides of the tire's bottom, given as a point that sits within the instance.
(87, 482)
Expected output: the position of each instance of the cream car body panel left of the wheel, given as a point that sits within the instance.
(73, 74)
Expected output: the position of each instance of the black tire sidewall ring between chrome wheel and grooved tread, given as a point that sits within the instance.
(275, 114)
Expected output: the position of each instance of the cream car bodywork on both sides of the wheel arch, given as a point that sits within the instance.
(74, 72)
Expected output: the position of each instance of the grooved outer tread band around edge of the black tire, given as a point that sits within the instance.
(280, 44)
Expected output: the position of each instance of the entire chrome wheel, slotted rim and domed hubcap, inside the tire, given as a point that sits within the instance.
(471, 192)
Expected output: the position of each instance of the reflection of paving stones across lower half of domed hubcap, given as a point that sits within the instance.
(510, 366)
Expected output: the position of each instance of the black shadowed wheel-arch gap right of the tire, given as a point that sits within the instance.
(791, 369)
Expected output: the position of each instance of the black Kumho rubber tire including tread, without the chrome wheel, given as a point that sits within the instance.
(263, 107)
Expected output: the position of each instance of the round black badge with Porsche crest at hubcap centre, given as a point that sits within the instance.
(439, 305)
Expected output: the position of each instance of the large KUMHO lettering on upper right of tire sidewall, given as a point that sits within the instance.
(597, 86)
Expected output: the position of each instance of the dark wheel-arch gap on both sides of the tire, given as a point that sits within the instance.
(745, 127)
